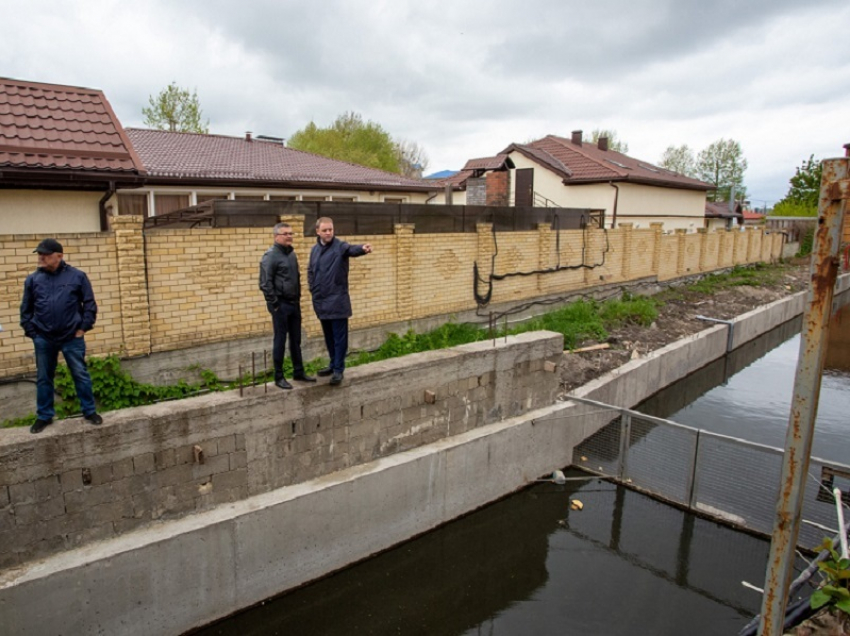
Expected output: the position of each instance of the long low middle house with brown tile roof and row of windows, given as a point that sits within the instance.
(185, 169)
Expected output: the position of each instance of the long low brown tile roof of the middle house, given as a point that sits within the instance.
(220, 160)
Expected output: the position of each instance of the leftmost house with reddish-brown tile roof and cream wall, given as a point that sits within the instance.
(63, 156)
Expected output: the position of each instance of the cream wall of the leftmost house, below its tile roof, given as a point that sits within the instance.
(48, 211)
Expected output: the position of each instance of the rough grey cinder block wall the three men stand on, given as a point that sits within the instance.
(77, 483)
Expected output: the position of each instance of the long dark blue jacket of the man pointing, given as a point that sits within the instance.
(327, 277)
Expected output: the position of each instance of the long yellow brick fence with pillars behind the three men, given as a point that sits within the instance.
(167, 290)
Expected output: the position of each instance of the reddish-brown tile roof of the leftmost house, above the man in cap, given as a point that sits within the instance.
(50, 128)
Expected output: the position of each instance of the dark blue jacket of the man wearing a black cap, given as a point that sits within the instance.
(56, 305)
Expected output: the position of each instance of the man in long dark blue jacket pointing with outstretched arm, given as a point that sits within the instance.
(327, 277)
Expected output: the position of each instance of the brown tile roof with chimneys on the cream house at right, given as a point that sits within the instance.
(588, 164)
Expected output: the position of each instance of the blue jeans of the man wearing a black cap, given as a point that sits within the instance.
(46, 357)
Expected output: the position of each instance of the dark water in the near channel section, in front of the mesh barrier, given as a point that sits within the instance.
(625, 564)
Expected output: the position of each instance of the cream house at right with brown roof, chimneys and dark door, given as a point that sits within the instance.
(572, 173)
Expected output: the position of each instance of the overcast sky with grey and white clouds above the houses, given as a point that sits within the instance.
(464, 79)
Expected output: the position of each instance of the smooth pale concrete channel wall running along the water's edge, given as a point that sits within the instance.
(171, 577)
